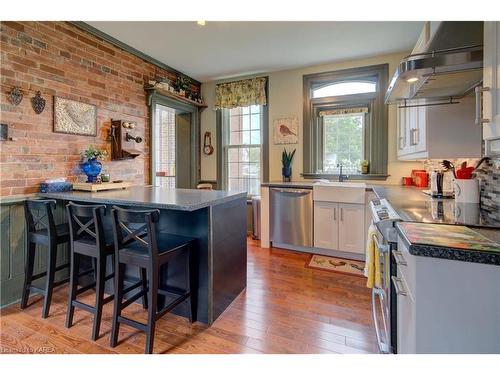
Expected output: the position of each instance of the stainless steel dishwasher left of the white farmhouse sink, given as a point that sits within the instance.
(291, 217)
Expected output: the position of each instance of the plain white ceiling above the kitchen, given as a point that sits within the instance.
(226, 49)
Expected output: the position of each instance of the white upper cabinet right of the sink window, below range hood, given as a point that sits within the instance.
(438, 132)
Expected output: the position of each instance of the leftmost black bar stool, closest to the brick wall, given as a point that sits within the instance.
(42, 230)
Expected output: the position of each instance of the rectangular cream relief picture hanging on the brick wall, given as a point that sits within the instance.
(72, 117)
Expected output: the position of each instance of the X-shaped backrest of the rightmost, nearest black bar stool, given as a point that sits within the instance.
(135, 226)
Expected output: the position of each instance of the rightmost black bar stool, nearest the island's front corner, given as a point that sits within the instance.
(138, 244)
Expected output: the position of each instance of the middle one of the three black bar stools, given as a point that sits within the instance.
(87, 239)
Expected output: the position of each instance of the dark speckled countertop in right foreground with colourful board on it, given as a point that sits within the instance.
(448, 242)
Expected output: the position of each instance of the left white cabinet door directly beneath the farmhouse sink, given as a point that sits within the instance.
(326, 216)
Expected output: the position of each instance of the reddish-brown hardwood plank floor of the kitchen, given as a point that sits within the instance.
(286, 308)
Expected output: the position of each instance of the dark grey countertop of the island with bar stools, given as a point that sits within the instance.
(153, 197)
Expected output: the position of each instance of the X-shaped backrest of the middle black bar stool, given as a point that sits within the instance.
(85, 223)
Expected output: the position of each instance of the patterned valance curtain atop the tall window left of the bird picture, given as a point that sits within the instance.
(241, 93)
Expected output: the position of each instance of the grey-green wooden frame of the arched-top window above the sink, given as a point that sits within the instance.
(376, 121)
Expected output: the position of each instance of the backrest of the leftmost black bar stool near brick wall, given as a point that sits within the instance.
(39, 216)
